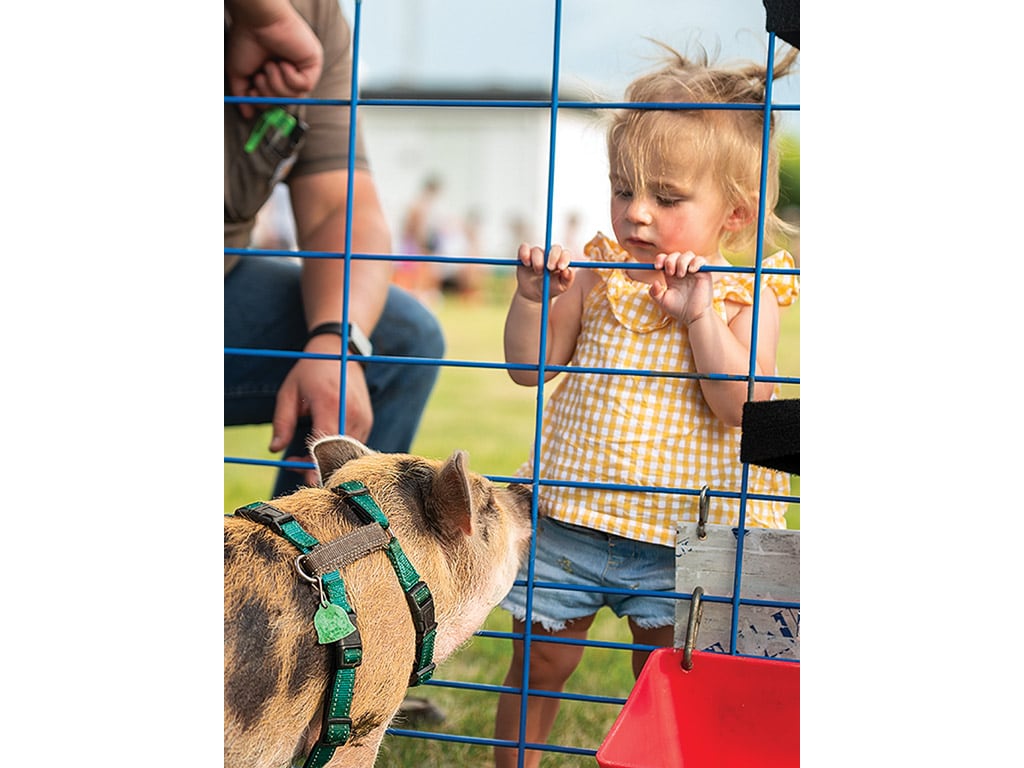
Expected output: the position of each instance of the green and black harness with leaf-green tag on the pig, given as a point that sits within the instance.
(335, 619)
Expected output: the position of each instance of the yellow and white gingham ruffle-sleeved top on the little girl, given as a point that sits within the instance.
(648, 431)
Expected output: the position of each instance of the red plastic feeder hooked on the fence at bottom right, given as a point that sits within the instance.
(727, 712)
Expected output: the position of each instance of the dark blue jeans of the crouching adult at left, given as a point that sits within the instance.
(264, 311)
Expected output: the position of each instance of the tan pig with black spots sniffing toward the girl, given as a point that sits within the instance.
(465, 536)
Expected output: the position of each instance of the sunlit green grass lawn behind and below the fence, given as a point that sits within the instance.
(483, 412)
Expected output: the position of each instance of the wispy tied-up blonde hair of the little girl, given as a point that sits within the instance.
(723, 142)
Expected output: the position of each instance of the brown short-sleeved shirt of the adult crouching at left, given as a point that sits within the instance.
(250, 179)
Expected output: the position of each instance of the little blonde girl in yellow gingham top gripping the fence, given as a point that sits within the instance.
(685, 185)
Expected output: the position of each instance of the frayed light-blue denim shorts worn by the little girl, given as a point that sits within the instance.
(575, 556)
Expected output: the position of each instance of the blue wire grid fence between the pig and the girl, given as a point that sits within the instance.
(552, 106)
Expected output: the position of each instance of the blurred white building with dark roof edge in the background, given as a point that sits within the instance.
(493, 163)
